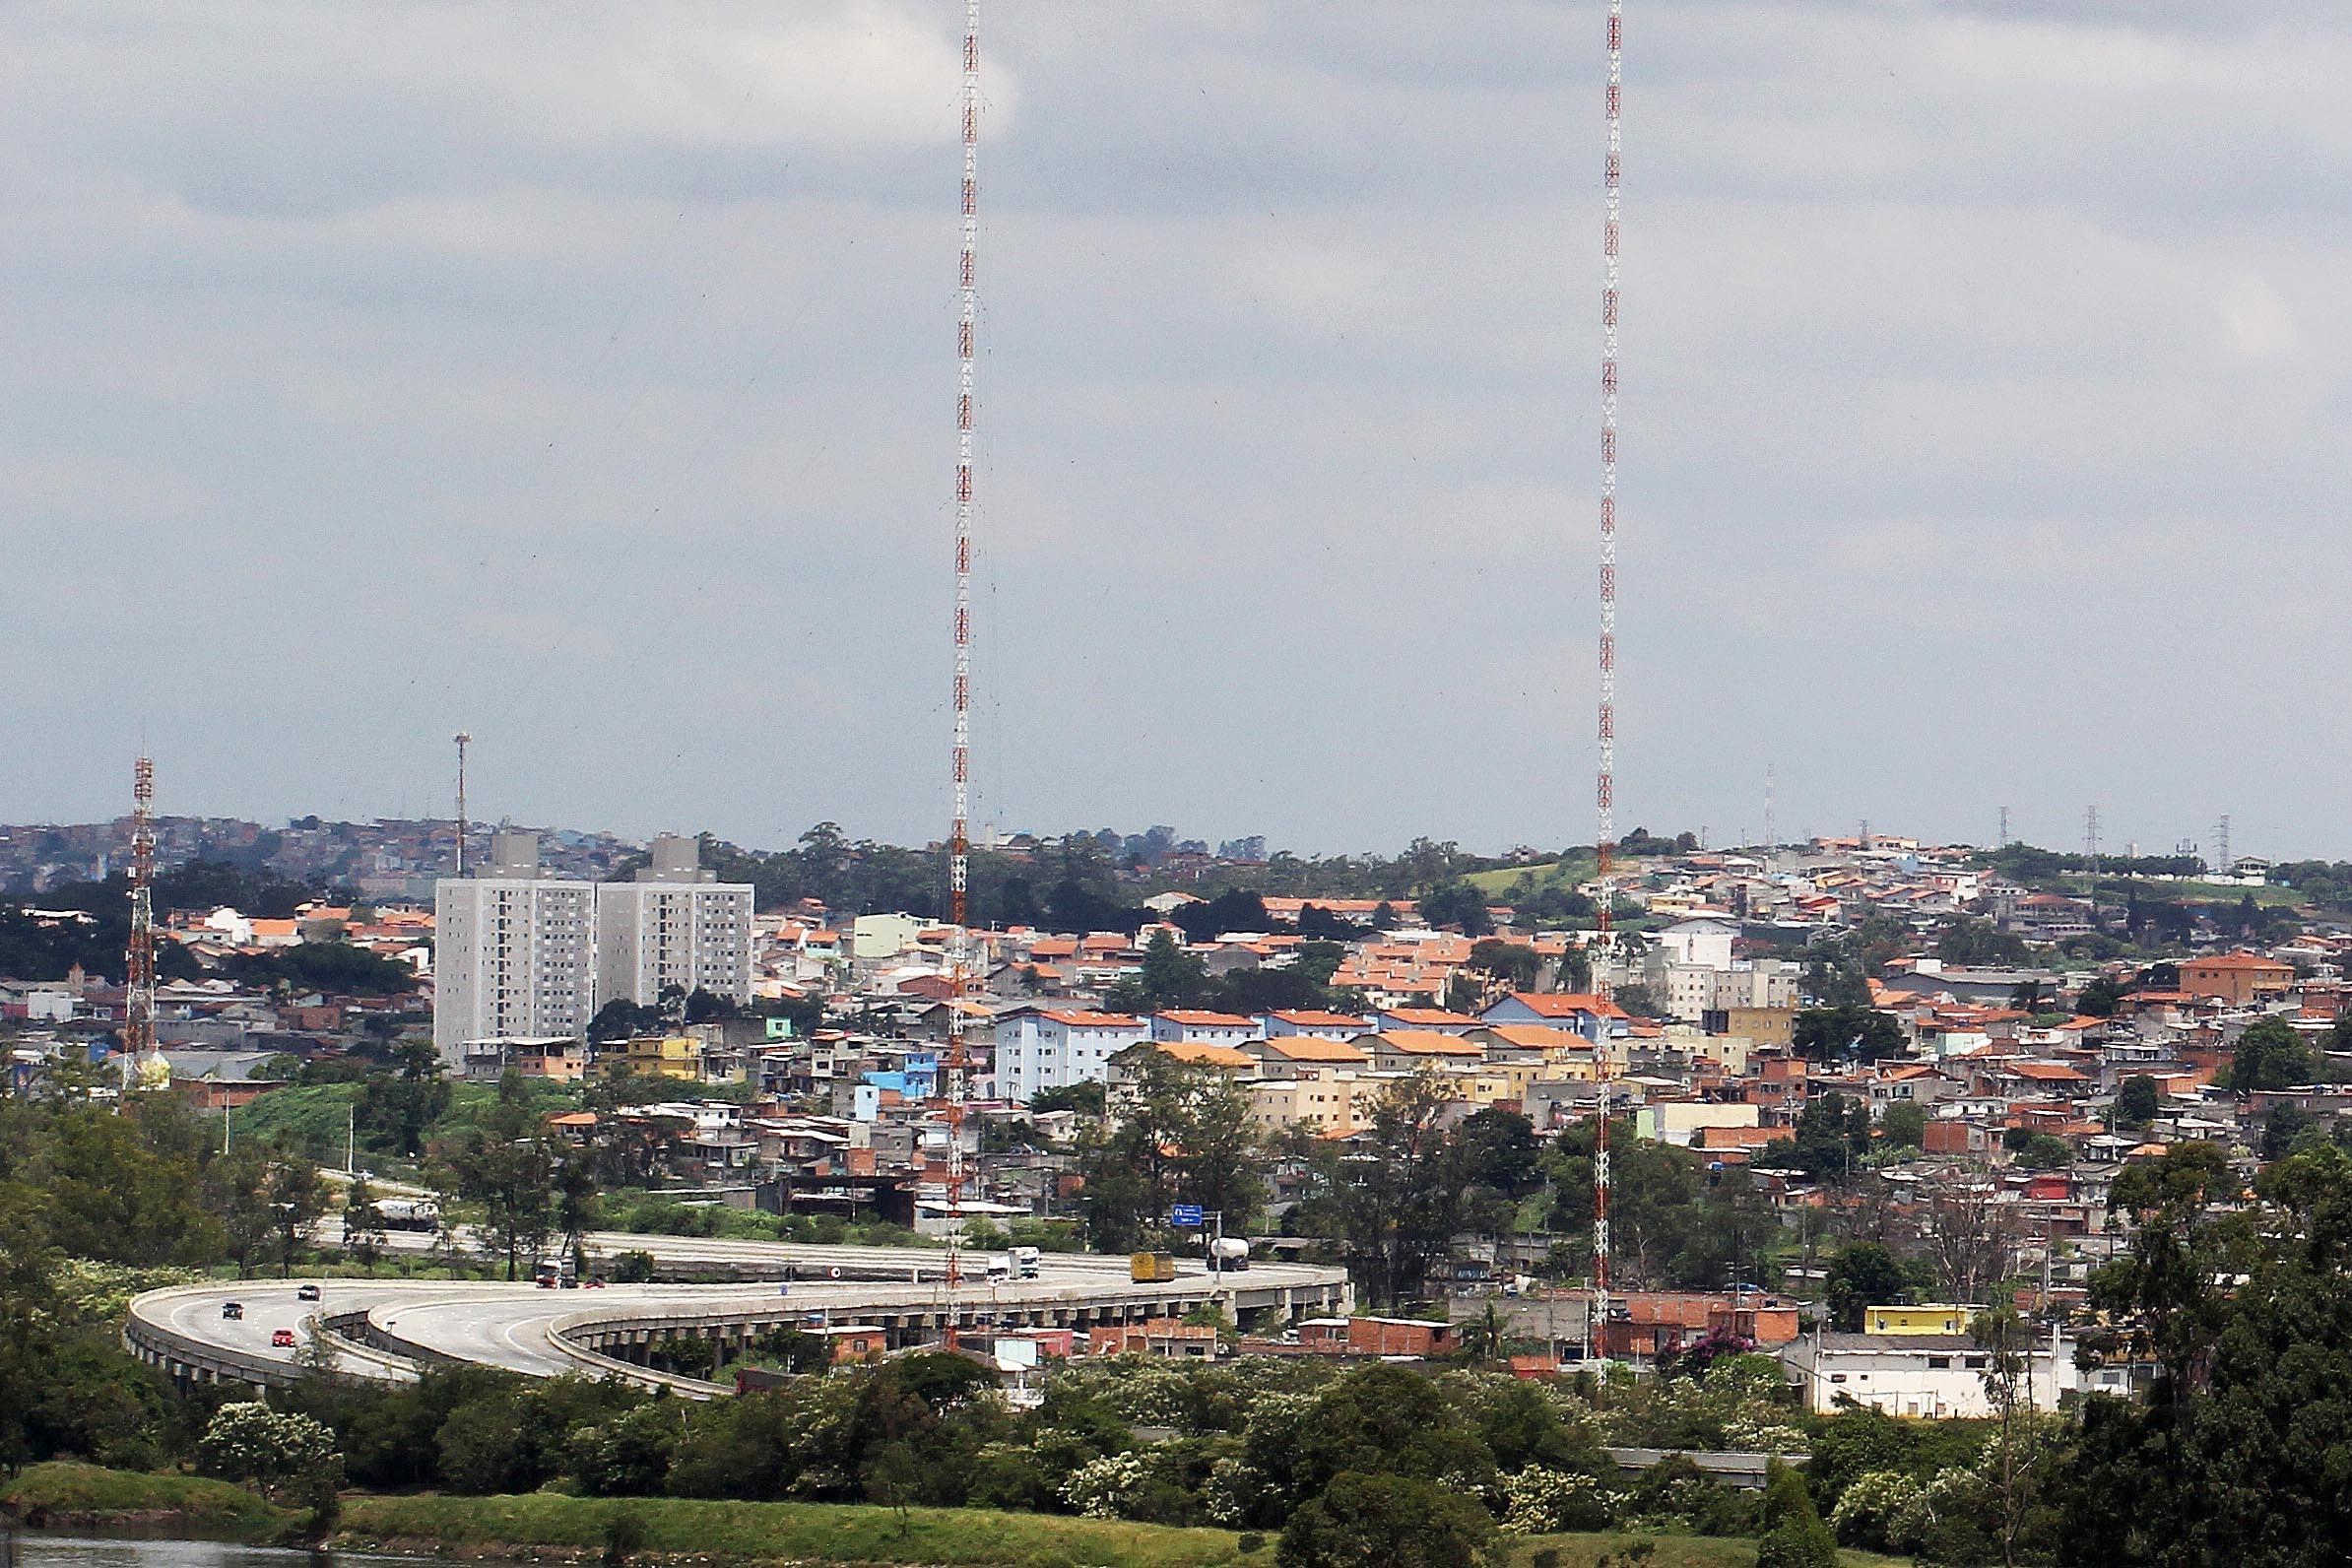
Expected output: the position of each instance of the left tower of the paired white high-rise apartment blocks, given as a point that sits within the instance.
(514, 953)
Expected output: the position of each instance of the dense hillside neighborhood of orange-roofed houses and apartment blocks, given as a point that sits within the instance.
(1864, 1038)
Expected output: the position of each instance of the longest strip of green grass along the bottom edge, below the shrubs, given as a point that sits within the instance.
(791, 1532)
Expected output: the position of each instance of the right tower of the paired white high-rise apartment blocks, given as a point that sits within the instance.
(676, 925)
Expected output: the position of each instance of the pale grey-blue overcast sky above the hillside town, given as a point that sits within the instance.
(582, 375)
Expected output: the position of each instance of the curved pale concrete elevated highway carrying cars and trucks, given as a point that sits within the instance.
(394, 1329)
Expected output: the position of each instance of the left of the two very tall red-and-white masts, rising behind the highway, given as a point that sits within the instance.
(958, 1068)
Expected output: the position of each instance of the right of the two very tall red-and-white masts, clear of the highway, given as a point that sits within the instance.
(1605, 798)
